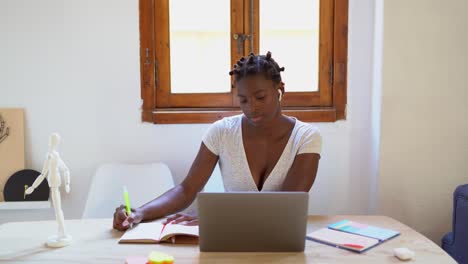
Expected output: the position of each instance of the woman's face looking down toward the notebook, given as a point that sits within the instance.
(258, 99)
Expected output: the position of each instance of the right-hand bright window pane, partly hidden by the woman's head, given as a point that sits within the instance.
(290, 30)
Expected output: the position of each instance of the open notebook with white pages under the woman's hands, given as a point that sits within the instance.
(156, 232)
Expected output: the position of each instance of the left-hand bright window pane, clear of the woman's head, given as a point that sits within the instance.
(200, 46)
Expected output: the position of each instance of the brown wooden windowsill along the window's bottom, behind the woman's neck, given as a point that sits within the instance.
(196, 116)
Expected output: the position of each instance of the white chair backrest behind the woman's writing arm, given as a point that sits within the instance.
(144, 182)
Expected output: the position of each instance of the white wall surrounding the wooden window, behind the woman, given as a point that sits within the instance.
(74, 67)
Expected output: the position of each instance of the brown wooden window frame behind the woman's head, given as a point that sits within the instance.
(161, 107)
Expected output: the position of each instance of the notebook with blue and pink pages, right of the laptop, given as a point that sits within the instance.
(352, 235)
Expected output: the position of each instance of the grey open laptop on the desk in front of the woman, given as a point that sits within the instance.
(252, 221)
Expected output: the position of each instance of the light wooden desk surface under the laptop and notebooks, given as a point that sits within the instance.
(94, 241)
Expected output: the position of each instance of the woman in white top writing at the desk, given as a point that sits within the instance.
(260, 150)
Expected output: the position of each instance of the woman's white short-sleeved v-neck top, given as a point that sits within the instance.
(224, 139)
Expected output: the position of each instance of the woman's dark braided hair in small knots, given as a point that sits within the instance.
(257, 64)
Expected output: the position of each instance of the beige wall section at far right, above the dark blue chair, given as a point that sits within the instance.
(424, 140)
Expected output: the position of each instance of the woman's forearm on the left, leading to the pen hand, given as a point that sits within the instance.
(172, 201)
